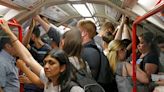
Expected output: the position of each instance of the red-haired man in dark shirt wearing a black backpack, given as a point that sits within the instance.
(94, 56)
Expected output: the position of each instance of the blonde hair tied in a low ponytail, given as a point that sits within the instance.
(112, 56)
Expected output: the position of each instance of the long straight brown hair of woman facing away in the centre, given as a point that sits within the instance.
(73, 45)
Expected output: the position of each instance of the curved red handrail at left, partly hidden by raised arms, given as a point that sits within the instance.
(14, 23)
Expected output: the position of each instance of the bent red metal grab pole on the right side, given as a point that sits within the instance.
(158, 8)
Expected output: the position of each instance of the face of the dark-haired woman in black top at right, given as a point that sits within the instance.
(142, 46)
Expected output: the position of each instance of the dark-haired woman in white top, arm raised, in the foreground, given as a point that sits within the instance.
(56, 71)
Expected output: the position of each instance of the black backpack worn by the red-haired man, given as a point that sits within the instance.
(105, 76)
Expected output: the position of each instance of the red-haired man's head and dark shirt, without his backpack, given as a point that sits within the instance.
(88, 31)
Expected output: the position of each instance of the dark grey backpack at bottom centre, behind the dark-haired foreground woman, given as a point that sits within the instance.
(84, 81)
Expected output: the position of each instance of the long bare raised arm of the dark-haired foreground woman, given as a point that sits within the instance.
(21, 50)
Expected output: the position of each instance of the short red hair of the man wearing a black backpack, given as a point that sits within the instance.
(89, 26)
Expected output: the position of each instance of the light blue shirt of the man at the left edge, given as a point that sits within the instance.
(9, 81)
